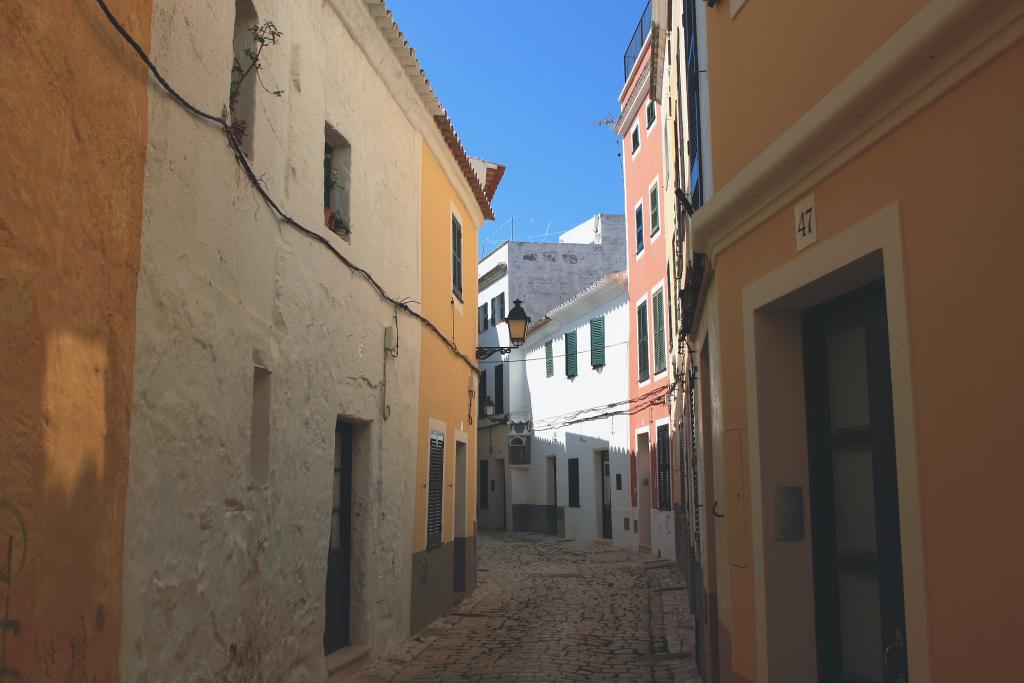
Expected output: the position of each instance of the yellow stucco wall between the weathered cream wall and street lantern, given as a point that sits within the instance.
(446, 380)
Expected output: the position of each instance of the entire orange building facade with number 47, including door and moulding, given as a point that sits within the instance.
(852, 341)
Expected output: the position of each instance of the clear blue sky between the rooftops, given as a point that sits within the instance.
(525, 83)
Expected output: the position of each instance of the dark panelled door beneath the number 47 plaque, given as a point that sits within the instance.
(854, 494)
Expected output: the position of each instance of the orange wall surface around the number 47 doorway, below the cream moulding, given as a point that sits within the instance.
(955, 170)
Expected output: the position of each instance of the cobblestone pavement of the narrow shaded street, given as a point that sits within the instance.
(554, 610)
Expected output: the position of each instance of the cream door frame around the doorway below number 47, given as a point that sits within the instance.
(851, 259)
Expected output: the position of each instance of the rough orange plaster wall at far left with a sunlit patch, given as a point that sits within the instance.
(73, 112)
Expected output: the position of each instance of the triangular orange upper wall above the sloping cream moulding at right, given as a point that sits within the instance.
(820, 44)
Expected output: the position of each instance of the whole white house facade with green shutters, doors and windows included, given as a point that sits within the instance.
(569, 461)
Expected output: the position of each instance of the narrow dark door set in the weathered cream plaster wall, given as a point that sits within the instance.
(336, 629)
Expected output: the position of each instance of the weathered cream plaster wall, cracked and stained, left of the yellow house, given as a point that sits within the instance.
(225, 579)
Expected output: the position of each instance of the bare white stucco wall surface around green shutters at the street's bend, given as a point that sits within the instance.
(543, 400)
